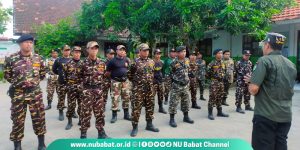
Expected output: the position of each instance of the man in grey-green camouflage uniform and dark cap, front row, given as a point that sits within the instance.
(180, 86)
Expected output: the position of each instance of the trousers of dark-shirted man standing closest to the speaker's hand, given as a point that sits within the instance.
(242, 90)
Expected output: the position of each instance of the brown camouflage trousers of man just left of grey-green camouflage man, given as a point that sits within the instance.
(142, 97)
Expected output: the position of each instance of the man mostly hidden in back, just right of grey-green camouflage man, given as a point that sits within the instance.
(201, 74)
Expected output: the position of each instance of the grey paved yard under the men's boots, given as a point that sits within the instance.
(236, 126)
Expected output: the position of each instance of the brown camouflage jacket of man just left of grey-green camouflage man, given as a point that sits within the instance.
(141, 72)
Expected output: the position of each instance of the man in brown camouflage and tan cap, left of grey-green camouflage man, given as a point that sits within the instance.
(141, 74)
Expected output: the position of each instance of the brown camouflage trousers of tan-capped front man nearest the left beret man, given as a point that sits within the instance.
(92, 102)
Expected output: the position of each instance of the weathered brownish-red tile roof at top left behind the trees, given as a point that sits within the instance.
(28, 13)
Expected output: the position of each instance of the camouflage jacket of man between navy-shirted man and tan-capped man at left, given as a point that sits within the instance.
(73, 74)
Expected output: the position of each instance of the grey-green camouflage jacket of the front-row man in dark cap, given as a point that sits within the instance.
(180, 71)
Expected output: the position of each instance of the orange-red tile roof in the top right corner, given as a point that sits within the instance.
(288, 13)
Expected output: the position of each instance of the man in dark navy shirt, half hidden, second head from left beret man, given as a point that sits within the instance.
(58, 66)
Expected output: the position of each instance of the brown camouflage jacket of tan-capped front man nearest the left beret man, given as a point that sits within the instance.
(93, 72)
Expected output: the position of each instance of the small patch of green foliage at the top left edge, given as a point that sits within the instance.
(4, 18)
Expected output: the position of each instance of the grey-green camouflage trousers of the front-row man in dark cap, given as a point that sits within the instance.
(179, 94)
